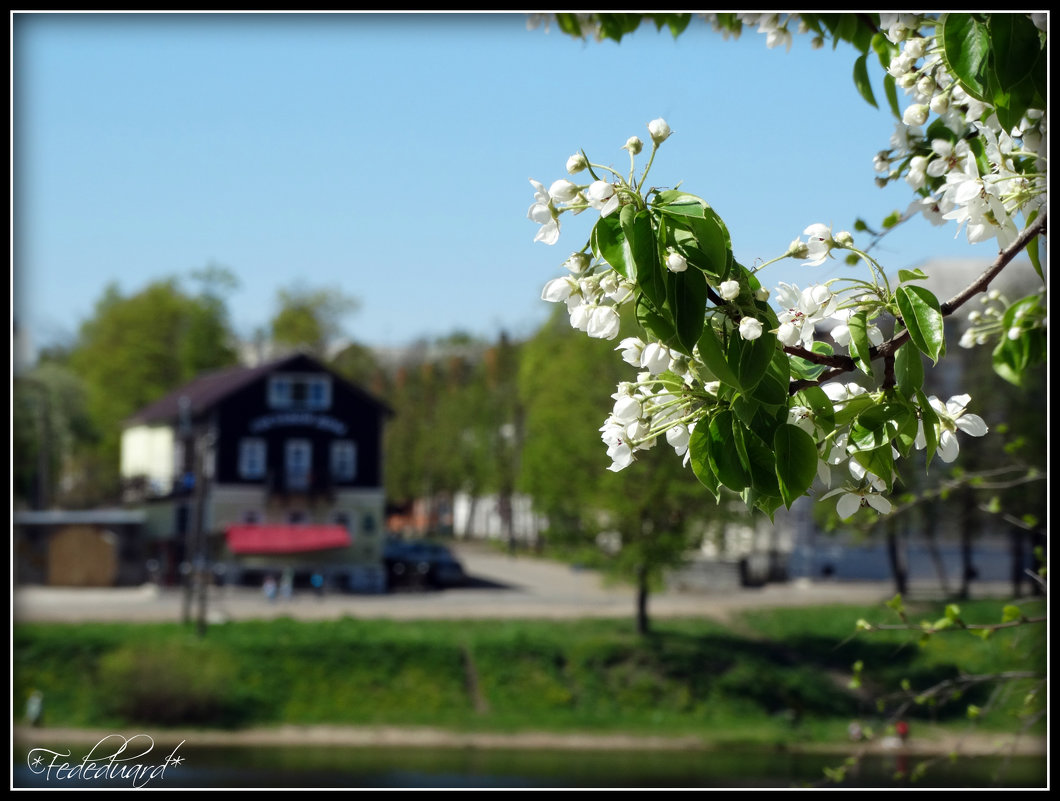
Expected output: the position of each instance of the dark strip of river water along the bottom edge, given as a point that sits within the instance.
(386, 768)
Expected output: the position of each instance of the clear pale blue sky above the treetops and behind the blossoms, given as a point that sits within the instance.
(388, 156)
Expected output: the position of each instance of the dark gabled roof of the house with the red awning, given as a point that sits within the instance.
(210, 389)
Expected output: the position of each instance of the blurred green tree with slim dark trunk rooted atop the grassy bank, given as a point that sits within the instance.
(645, 521)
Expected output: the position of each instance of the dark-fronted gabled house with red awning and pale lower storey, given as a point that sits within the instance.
(262, 470)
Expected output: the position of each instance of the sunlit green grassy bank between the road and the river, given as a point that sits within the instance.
(766, 678)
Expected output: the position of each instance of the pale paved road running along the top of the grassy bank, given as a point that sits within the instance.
(502, 586)
